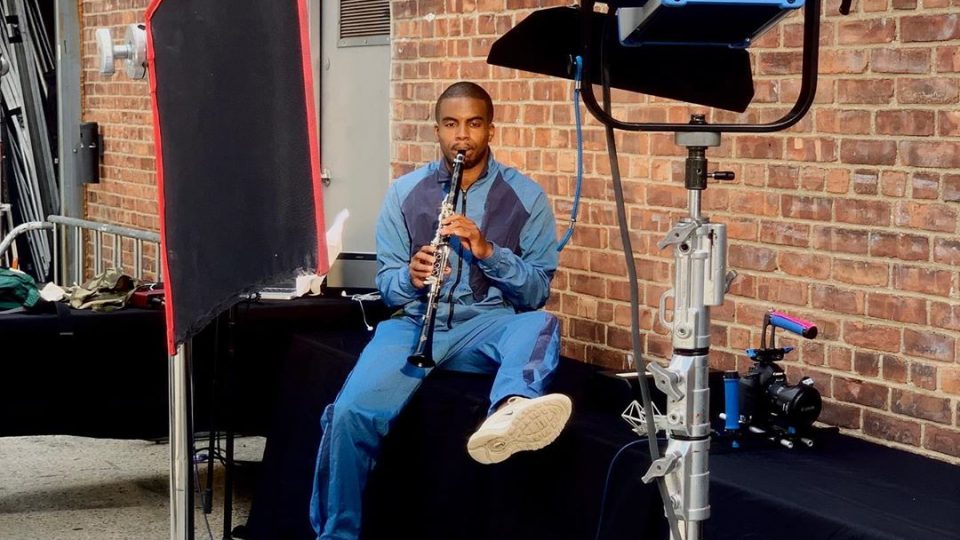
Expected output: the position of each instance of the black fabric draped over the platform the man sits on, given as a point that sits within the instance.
(426, 487)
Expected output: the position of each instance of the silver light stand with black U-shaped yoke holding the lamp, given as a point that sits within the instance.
(700, 281)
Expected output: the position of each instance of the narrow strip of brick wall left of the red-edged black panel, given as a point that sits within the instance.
(127, 193)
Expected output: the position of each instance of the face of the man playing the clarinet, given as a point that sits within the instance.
(463, 125)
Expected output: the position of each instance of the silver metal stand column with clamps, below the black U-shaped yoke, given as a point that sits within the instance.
(700, 281)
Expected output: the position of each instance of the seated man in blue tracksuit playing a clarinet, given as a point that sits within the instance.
(502, 254)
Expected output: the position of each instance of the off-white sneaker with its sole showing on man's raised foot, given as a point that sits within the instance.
(519, 424)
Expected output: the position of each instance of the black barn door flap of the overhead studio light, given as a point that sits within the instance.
(546, 41)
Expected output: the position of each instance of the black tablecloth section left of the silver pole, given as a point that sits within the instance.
(84, 373)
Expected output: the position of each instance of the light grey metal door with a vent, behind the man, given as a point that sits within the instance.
(353, 68)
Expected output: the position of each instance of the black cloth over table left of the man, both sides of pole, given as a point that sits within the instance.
(105, 374)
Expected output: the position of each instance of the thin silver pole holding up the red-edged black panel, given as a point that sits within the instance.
(181, 446)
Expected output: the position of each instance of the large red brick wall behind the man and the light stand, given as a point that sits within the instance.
(848, 219)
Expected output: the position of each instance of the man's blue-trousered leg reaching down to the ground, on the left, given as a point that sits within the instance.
(354, 426)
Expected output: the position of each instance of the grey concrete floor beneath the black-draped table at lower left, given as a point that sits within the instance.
(75, 488)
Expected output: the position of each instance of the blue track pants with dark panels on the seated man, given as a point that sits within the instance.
(522, 349)
